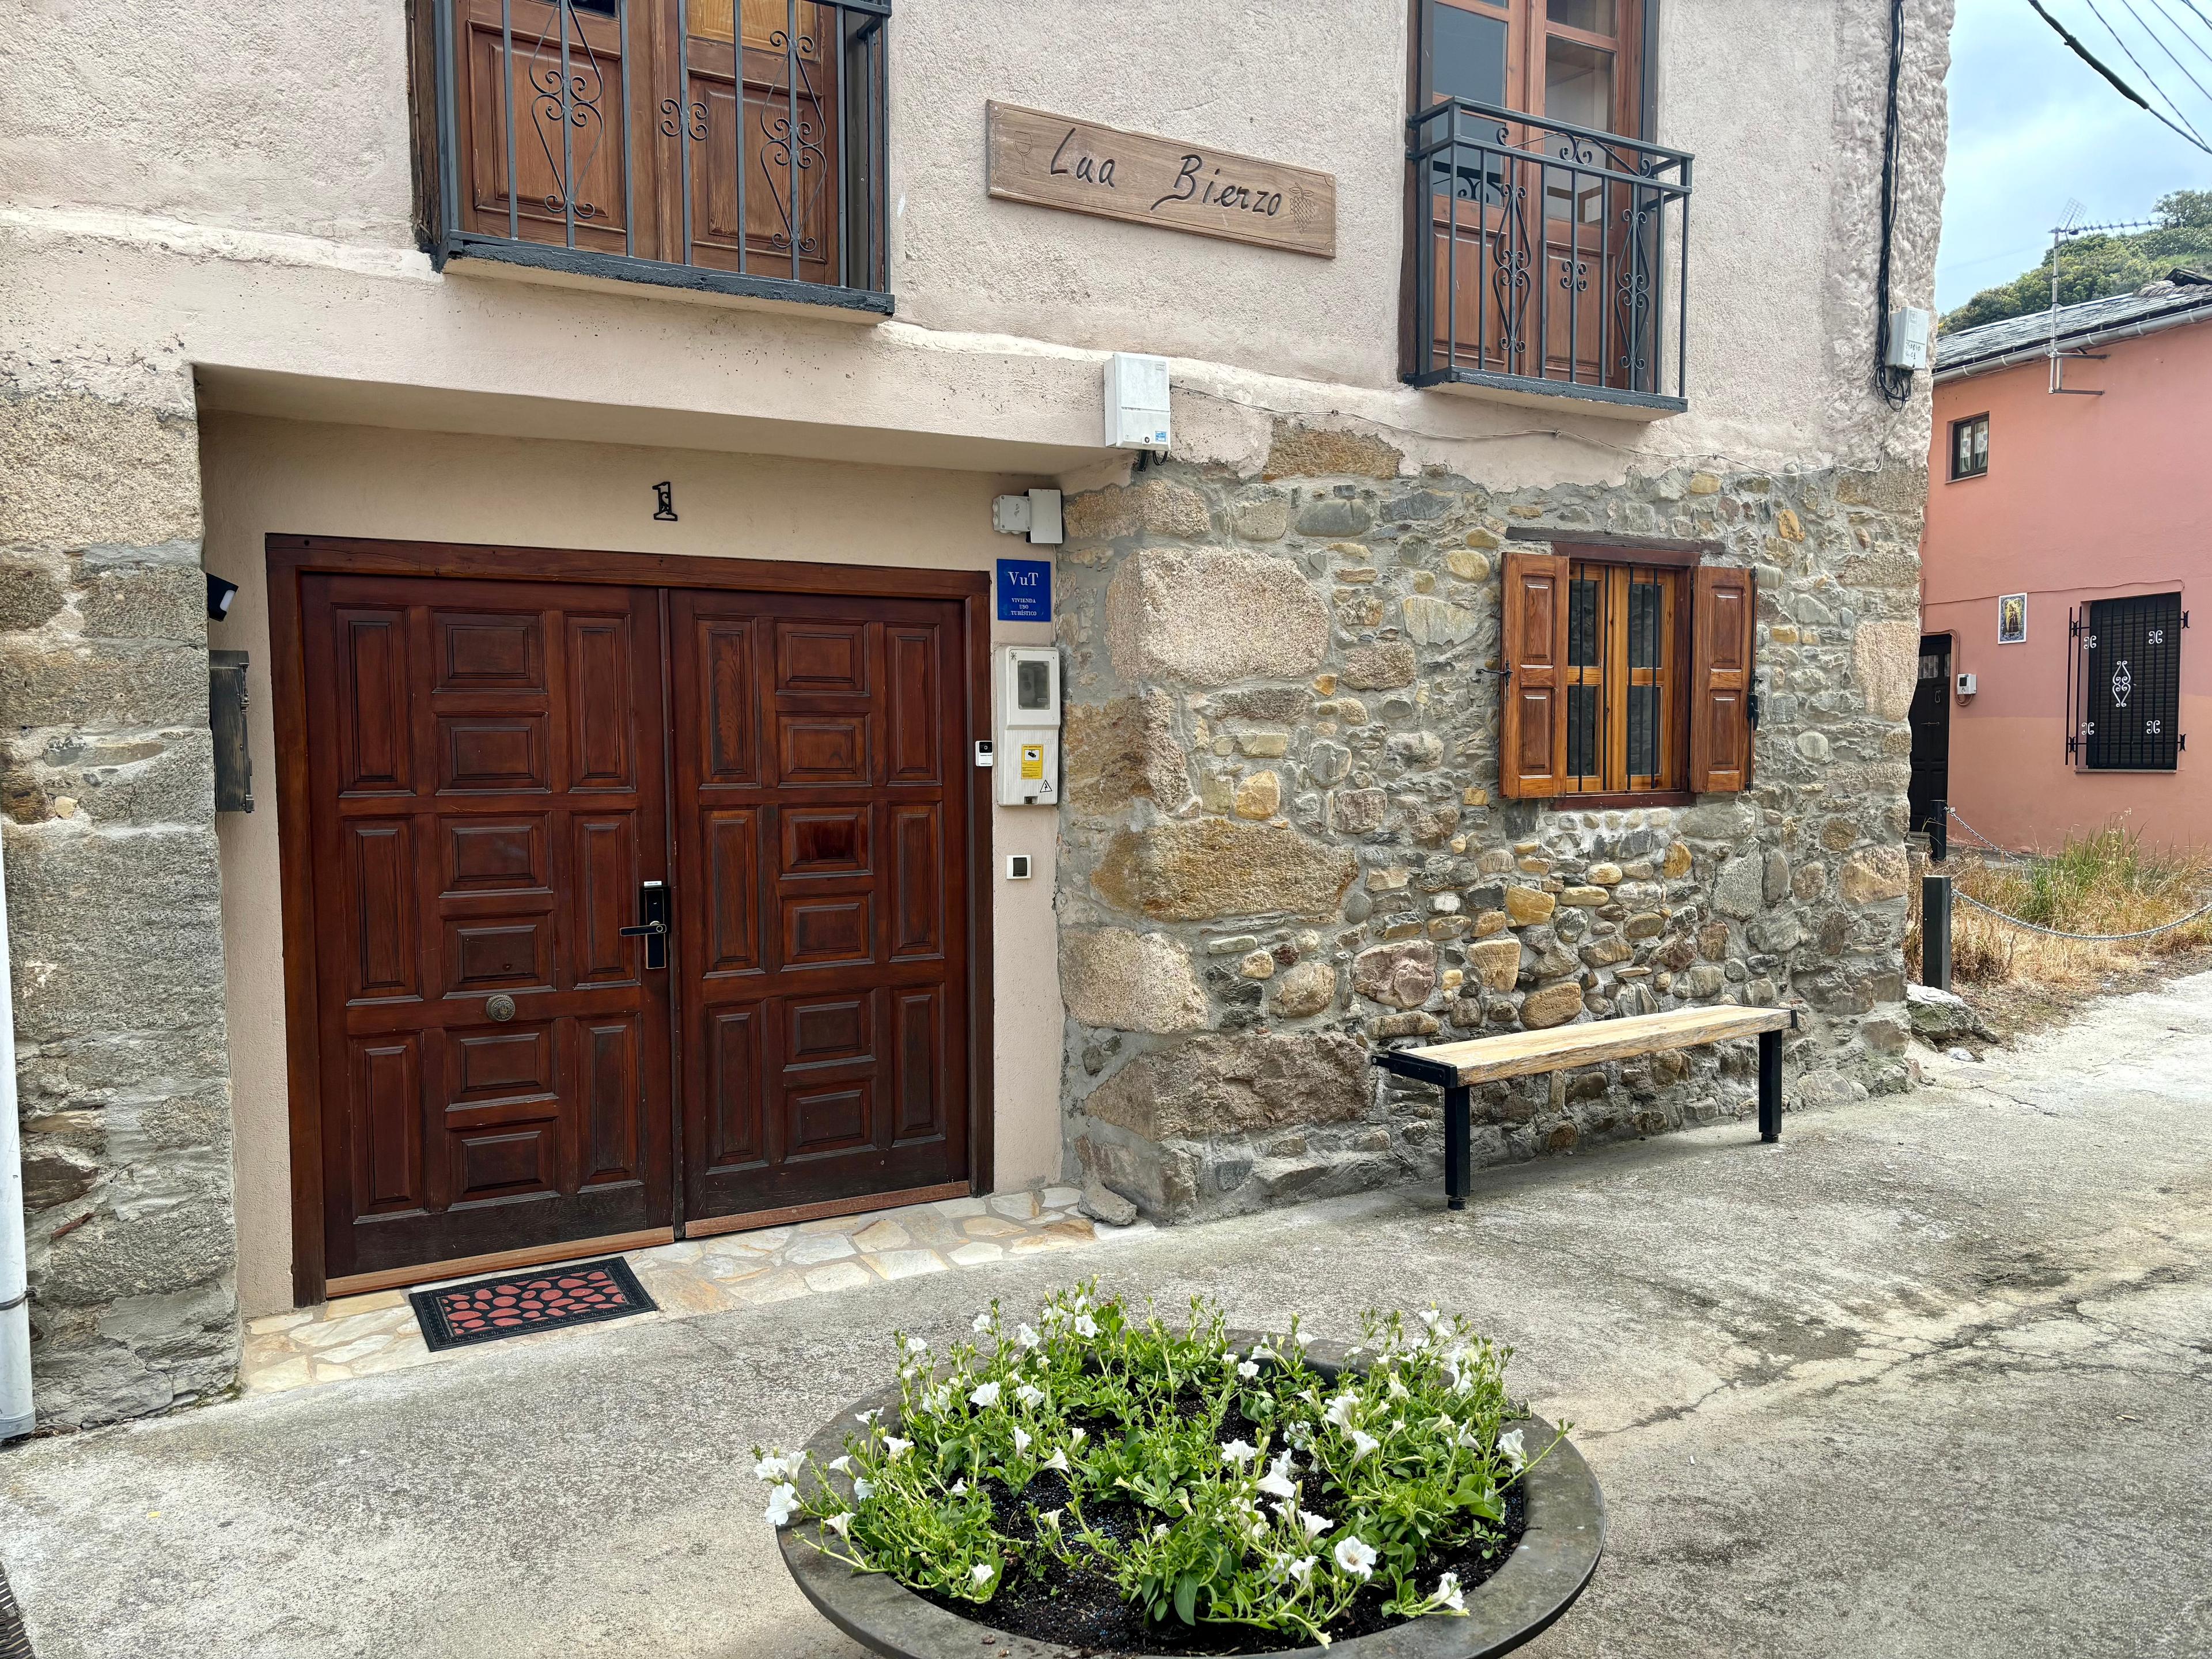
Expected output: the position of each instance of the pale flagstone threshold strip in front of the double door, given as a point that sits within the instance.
(373, 1335)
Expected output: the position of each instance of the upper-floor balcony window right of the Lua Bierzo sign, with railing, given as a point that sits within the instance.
(1547, 236)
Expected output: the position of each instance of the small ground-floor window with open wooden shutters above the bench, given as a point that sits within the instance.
(1625, 678)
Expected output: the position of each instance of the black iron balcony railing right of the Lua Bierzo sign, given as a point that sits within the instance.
(1547, 258)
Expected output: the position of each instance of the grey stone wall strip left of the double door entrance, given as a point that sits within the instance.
(114, 893)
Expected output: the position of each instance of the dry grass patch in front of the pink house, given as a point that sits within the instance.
(2105, 884)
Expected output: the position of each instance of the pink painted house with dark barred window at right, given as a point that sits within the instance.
(2069, 539)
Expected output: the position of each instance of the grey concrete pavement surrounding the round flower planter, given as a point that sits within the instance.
(1934, 1377)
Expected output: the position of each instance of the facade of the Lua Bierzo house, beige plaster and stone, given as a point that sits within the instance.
(1282, 837)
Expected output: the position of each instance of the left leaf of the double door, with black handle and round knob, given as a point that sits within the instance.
(488, 795)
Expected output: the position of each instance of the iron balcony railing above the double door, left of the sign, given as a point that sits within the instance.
(716, 145)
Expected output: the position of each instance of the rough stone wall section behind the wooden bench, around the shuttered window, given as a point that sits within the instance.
(1284, 844)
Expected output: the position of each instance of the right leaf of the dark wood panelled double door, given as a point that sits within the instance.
(822, 897)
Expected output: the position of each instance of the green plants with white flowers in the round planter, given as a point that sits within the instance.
(1342, 1483)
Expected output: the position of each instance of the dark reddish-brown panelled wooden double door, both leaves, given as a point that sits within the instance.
(510, 784)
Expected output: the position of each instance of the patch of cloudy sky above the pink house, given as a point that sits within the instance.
(2034, 127)
